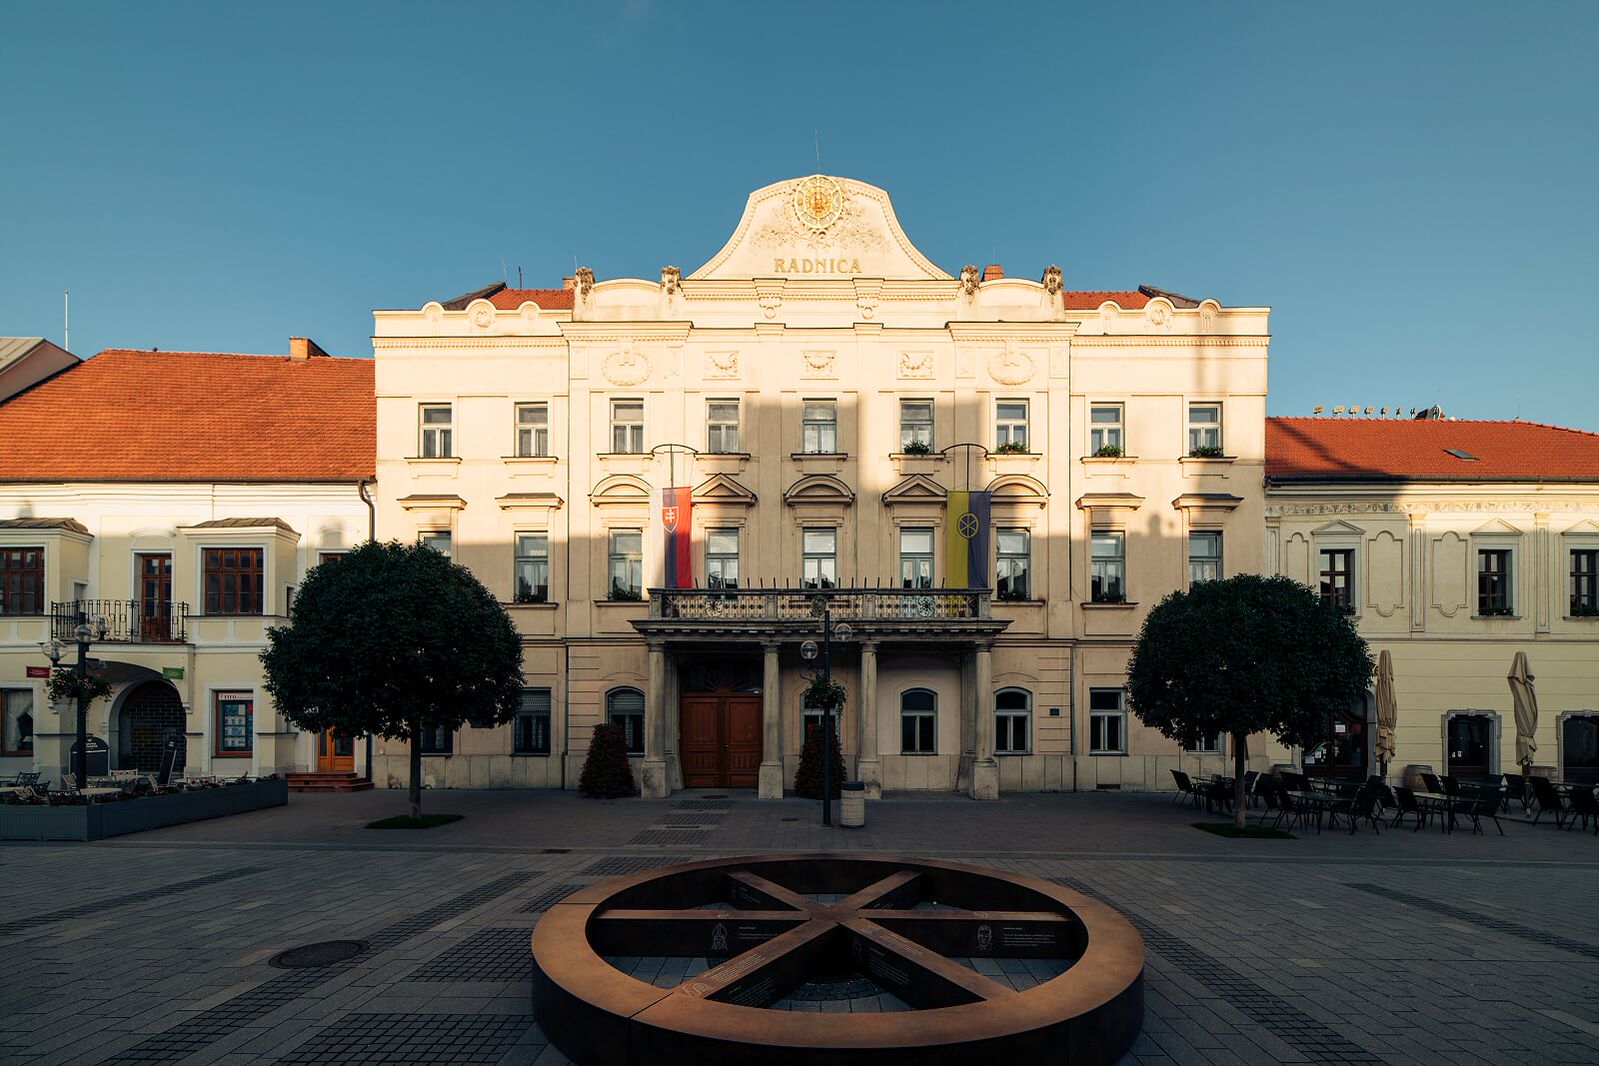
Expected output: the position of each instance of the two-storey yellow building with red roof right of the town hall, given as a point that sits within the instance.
(1456, 544)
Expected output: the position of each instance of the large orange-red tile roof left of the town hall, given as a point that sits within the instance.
(194, 416)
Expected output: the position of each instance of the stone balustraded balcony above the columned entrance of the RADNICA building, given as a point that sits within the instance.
(776, 613)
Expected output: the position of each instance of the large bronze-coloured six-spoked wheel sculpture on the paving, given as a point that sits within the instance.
(914, 937)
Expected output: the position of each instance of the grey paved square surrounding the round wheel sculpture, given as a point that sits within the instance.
(1397, 949)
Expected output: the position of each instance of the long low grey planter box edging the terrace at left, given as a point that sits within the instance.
(95, 822)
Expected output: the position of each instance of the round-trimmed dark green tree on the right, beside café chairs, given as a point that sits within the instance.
(1246, 656)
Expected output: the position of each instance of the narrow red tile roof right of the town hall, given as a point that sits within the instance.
(1414, 450)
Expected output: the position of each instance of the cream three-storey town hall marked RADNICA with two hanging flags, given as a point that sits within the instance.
(994, 479)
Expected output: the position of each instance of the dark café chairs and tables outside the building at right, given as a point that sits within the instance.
(1298, 801)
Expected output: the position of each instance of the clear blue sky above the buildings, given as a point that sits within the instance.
(1410, 186)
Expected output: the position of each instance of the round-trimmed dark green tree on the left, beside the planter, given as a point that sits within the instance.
(391, 640)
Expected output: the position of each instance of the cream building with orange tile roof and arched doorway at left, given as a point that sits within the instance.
(178, 498)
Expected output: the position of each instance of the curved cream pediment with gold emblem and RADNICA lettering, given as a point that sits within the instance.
(819, 228)
